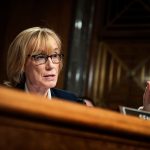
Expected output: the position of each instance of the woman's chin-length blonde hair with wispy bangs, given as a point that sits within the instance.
(20, 48)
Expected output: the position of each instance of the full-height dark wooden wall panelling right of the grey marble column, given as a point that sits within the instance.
(118, 75)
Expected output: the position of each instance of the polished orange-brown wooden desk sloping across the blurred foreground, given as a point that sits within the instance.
(30, 122)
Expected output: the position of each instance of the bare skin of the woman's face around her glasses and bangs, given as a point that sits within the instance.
(45, 75)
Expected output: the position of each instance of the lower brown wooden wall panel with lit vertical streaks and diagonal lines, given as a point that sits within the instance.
(120, 73)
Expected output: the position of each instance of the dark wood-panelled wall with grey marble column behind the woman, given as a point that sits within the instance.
(105, 42)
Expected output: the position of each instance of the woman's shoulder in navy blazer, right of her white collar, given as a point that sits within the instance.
(67, 95)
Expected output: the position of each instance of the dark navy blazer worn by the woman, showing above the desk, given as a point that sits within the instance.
(58, 93)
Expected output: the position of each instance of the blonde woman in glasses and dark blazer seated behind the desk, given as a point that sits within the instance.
(34, 62)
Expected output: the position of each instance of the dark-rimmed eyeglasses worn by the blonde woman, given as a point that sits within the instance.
(42, 58)
